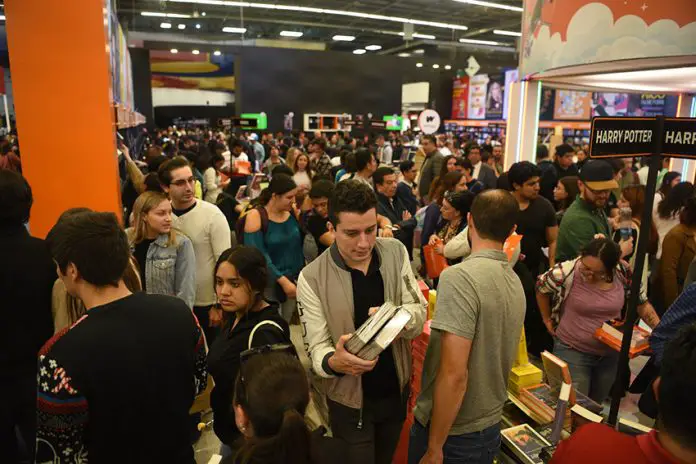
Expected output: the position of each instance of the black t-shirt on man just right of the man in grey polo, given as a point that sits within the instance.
(532, 224)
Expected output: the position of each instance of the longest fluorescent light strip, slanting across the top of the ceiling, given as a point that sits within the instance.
(325, 11)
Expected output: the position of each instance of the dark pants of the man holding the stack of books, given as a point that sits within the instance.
(376, 440)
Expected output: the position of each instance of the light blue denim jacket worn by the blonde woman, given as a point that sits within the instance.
(171, 270)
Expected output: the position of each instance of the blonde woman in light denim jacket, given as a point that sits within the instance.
(165, 257)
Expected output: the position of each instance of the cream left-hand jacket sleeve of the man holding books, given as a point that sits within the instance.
(317, 338)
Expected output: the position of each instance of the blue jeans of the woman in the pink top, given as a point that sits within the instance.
(592, 375)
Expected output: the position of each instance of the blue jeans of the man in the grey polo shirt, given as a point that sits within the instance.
(470, 448)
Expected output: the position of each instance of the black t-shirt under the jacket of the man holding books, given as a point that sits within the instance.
(368, 292)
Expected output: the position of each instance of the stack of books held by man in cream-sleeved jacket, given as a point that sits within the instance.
(378, 332)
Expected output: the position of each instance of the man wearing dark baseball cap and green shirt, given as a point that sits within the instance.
(586, 216)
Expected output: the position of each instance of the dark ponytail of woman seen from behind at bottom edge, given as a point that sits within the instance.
(290, 445)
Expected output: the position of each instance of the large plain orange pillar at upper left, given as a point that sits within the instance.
(59, 57)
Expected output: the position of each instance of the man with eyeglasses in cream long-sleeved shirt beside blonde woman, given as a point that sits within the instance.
(207, 228)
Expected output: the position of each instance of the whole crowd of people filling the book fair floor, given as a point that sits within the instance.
(227, 240)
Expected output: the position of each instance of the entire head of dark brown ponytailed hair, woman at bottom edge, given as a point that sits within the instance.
(273, 391)
